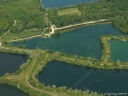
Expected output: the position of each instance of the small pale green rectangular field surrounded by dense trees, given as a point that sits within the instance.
(69, 11)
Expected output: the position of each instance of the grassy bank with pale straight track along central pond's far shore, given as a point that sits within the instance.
(39, 33)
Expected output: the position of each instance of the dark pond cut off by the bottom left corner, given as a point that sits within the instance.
(6, 90)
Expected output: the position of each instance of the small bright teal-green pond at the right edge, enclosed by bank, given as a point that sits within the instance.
(119, 50)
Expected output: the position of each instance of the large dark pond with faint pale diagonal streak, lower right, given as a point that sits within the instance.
(84, 78)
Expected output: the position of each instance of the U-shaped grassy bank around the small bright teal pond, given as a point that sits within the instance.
(106, 53)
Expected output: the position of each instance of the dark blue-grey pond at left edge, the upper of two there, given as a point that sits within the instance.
(10, 62)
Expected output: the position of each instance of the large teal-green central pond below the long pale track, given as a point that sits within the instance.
(83, 41)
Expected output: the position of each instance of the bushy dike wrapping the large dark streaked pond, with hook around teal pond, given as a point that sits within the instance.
(104, 63)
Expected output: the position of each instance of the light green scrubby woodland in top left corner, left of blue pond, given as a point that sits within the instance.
(27, 14)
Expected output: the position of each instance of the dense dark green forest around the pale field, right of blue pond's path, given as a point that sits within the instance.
(114, 10)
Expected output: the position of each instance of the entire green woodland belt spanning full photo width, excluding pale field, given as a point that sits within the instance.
(18, 15)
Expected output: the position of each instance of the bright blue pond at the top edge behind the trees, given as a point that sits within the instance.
(62, 3)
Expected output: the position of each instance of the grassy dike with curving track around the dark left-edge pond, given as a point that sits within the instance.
(21, 80)
